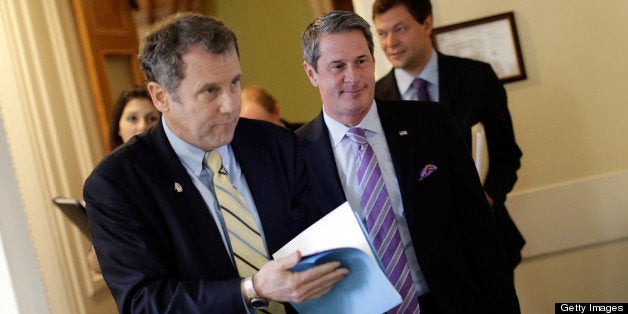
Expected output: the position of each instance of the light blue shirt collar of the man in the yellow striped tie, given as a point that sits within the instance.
(192, 156)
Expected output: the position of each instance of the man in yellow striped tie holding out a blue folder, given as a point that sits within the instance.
(158, 222)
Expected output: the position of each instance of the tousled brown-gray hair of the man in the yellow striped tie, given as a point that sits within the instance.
(167, 41)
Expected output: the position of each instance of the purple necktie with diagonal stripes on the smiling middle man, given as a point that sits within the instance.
(381, 223)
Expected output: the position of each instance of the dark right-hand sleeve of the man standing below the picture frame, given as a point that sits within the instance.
(504, 153)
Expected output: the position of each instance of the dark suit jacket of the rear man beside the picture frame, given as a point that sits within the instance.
(472, 93)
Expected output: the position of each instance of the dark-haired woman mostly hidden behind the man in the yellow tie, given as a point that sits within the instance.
(133, 113)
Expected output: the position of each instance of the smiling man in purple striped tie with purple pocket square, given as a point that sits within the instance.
(449, 239)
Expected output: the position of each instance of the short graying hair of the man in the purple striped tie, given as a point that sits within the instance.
(334, 22)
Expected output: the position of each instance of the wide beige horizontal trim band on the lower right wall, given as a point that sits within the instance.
(567, 216)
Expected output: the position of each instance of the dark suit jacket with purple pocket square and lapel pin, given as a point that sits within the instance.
(452, 228)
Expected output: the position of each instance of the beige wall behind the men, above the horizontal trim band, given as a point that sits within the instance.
(567, 114)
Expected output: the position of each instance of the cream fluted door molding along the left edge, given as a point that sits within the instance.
(52, 137)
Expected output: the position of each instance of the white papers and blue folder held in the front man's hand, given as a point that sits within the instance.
(340, 236)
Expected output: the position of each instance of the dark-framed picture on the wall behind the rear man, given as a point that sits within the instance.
(491, 39)
